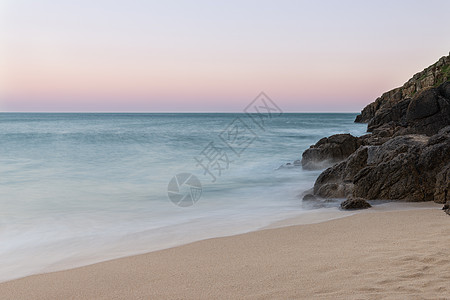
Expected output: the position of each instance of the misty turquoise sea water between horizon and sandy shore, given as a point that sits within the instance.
(81, 188)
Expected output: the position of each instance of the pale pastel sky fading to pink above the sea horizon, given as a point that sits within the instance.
(212, 56)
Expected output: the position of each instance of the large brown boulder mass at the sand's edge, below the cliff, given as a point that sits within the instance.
(407, 168)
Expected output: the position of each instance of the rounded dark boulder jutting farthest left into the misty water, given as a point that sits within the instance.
(329, 150)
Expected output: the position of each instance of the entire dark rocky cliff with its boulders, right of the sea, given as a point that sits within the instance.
(407, 155)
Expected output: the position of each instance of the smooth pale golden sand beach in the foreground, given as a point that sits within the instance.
(370, 255)
